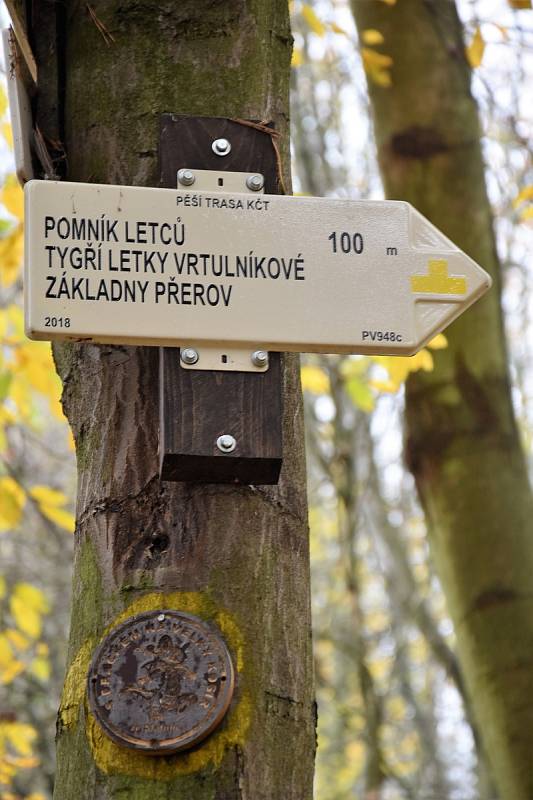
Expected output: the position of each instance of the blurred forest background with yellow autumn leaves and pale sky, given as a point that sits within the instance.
(394, 719)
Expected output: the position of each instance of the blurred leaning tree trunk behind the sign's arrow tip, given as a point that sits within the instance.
(462, 441)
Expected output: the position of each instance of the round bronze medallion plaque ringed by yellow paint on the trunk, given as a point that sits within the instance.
(161, 682)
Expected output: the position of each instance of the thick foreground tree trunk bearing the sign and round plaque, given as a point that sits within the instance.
(238, 556)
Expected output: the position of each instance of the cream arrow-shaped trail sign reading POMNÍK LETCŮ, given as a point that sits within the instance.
(165, 267)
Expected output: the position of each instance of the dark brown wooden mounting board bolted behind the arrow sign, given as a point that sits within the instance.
(196, 407)
